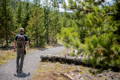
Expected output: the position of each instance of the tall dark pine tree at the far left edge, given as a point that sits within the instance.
(6, 20)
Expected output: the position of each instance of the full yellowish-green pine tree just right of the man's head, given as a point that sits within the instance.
(35, 28)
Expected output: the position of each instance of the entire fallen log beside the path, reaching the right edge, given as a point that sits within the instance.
(76, 61)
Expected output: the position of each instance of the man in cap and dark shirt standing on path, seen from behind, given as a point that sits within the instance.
(21, 41)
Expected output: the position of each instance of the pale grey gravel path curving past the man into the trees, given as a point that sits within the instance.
(31, 62)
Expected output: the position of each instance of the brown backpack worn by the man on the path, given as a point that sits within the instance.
(20, 41)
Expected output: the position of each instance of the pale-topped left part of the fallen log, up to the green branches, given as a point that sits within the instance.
(64, 59)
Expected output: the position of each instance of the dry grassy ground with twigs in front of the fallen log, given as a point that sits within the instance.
(57, 71)
